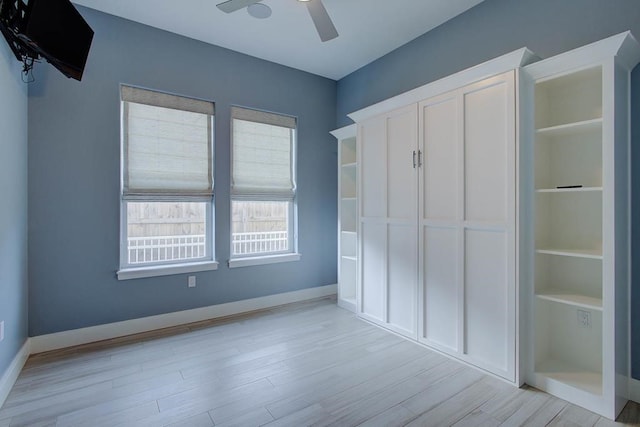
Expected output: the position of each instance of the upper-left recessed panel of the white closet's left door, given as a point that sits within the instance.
(373, 168)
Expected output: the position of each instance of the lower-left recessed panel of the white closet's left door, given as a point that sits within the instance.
(373, 283)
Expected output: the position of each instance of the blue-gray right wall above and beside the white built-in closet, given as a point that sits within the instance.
(495, 27)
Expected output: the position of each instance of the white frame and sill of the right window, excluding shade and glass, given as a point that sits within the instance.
(292, 253)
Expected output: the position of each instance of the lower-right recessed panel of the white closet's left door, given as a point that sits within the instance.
(402, 270)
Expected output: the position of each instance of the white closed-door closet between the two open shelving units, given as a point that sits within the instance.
(438, 217)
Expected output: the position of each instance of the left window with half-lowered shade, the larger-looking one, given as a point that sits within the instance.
(167, 184)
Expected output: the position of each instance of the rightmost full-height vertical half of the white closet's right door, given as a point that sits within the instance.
(489, 224)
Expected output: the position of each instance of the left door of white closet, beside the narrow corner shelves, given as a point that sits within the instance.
(388, 247)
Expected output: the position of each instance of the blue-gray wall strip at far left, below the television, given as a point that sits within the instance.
(13, 214)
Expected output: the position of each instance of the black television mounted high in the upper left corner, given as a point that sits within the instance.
(52, 29)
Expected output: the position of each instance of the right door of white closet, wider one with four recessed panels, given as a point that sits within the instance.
(467, 224)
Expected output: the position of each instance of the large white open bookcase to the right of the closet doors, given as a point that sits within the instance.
(577, 324)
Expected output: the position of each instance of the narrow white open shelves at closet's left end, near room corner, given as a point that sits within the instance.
(347, 216)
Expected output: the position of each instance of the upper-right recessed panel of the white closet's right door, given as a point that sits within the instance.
(488, 126)
